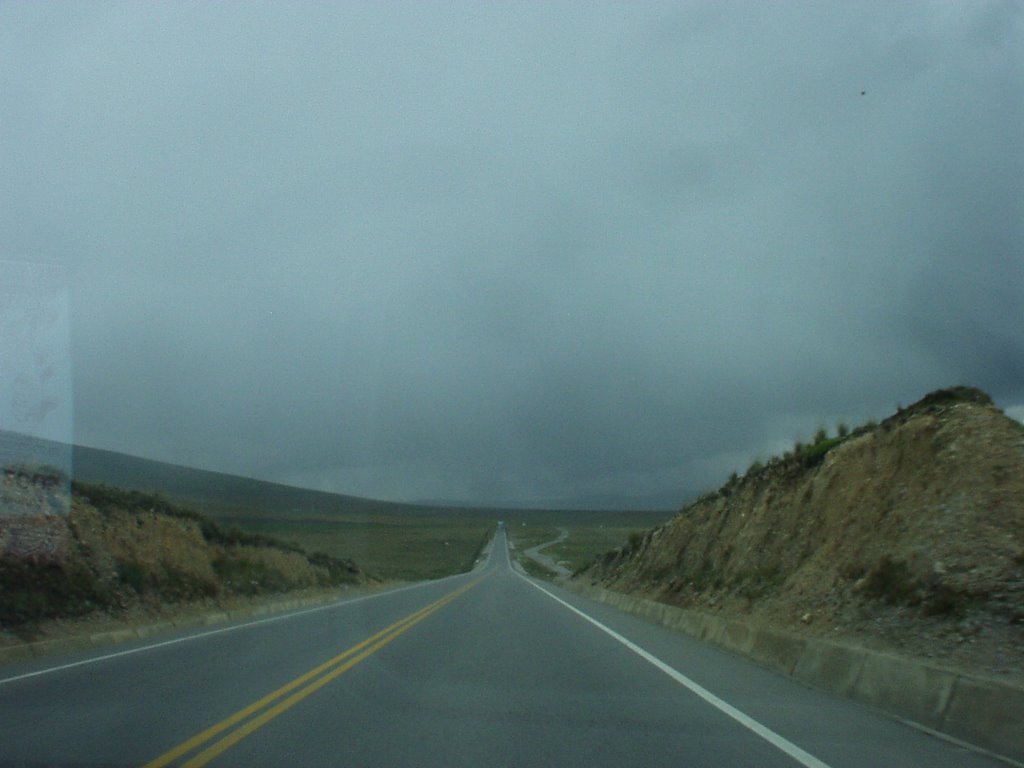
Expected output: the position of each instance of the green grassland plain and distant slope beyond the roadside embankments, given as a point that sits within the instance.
(391, 541)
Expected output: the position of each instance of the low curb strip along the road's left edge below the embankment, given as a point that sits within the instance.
(25, 652)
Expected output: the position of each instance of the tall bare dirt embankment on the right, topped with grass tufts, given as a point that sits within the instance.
(906, 537)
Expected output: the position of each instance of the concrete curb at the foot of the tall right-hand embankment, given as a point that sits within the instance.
(985, 713)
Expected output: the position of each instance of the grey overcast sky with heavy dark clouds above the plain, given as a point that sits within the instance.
(507, 253)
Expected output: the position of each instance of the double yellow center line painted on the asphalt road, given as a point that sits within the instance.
(290, 695)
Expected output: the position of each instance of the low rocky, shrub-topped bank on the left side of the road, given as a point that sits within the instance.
(115, 551)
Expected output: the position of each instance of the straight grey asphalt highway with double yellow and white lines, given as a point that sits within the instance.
(485, 669)
